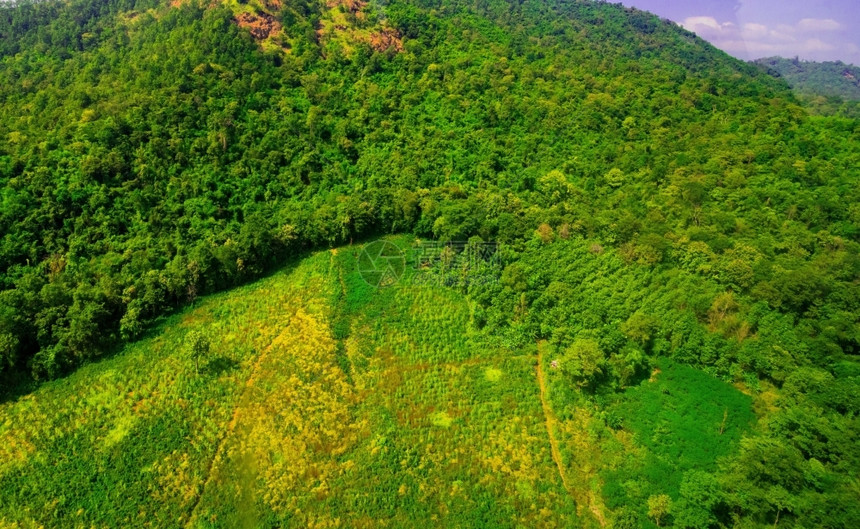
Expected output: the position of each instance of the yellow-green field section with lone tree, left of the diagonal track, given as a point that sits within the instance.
(141, 425)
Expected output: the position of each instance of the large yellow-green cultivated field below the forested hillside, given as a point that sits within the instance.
(324, 402)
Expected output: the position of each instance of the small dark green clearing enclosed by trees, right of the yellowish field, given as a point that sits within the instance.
(681, 421)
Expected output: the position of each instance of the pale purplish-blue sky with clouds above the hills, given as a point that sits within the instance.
(750, 29)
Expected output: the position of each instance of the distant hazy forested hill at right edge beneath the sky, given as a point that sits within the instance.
(831, 87)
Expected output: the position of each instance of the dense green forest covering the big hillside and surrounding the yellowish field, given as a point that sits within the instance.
(660, 205)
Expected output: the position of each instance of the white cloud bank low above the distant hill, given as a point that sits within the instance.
(813, 38)
